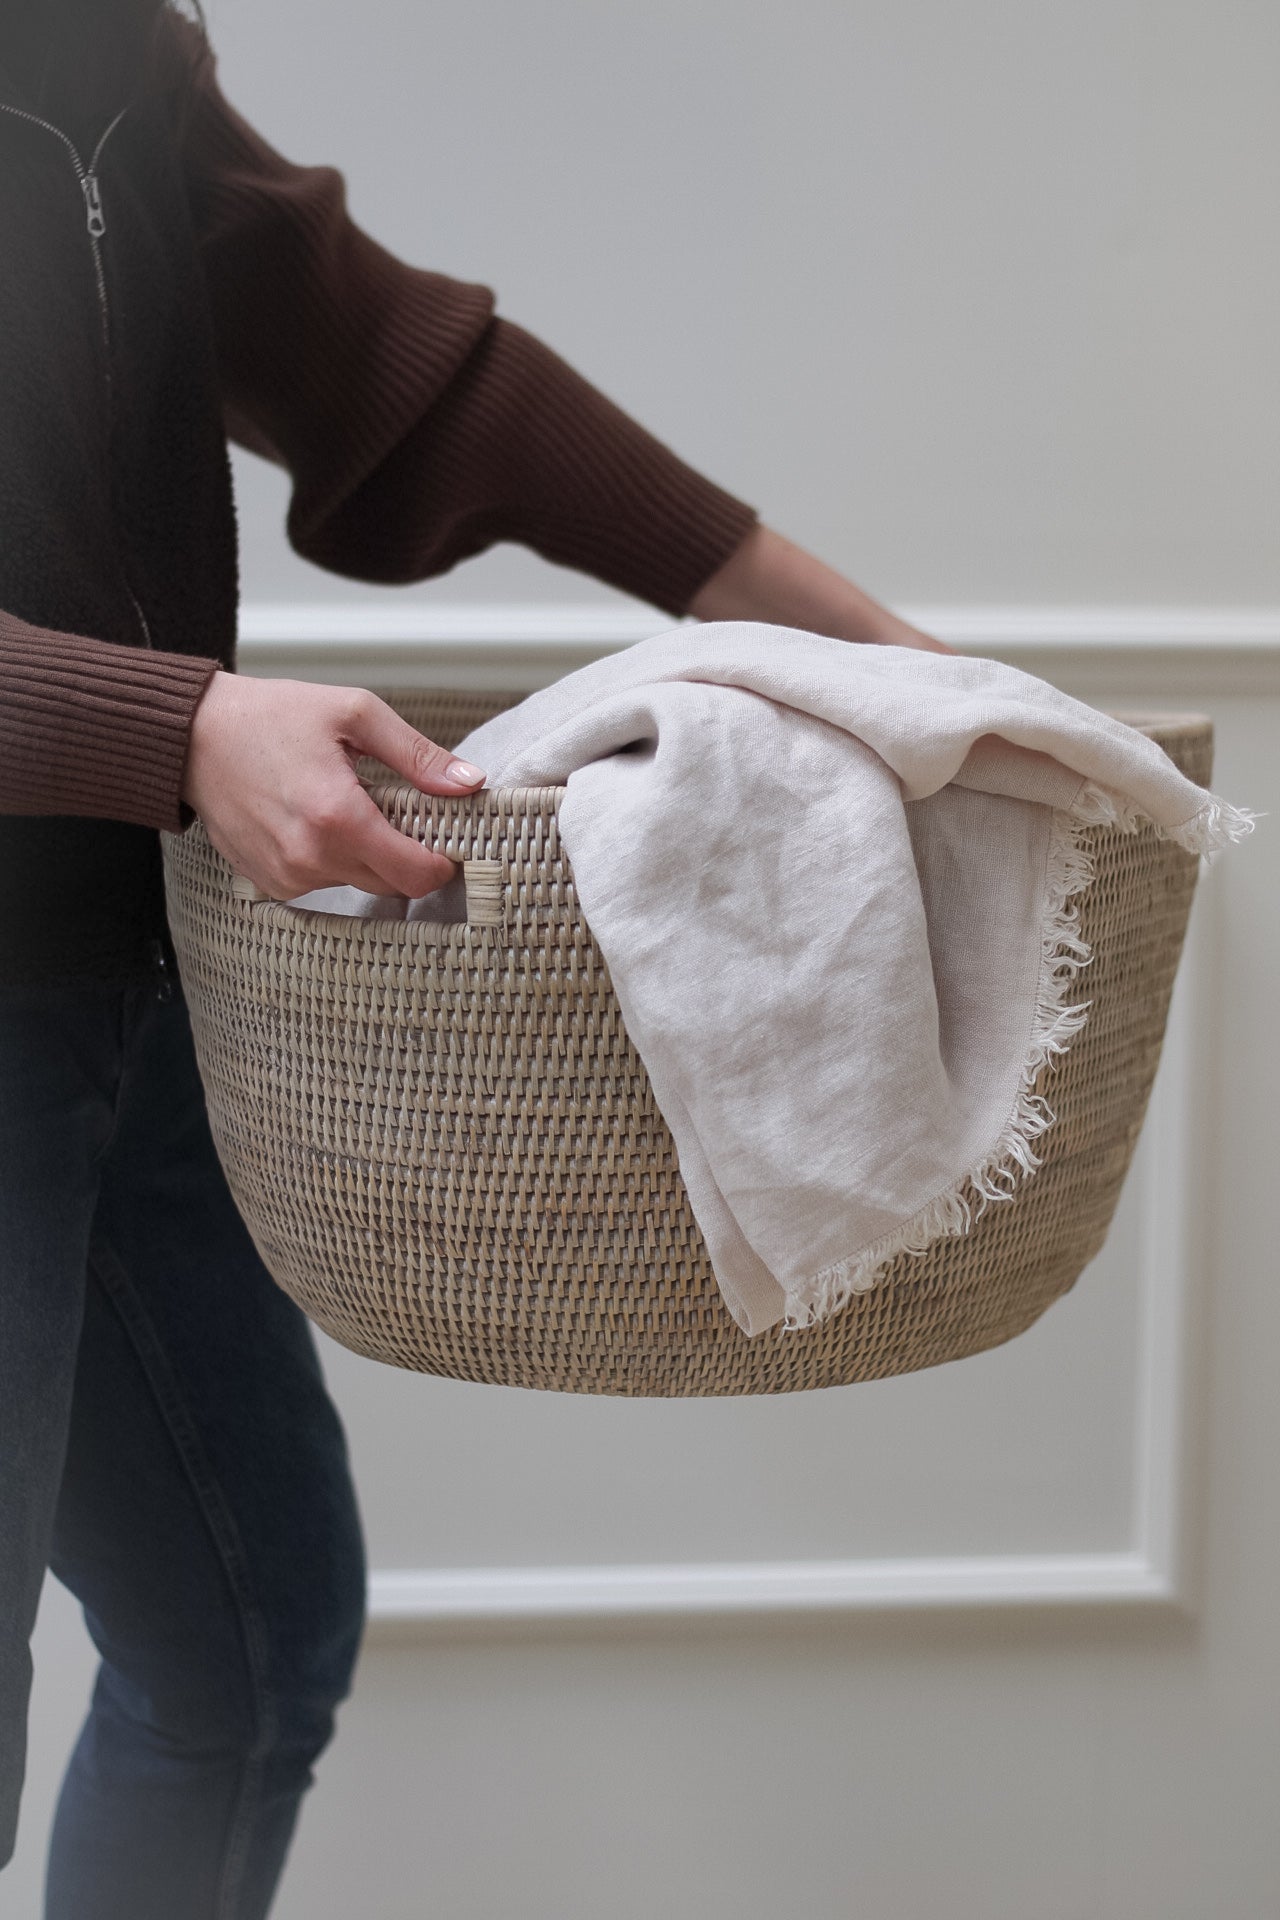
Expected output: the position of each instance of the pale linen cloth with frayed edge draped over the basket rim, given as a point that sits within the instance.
(838, 890)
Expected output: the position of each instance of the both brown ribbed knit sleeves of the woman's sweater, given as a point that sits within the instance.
(417, 427)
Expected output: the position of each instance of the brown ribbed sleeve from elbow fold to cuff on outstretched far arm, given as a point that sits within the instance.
(523, 448)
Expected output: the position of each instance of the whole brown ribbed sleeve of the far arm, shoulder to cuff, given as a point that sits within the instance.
(417, 425)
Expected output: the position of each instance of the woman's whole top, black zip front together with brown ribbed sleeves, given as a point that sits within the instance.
(164, 281)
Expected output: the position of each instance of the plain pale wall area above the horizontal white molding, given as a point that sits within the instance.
(980, 300)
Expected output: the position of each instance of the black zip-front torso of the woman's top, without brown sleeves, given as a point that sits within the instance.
(116, 498)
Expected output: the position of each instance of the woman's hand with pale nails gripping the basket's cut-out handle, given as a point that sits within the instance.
(272, 773)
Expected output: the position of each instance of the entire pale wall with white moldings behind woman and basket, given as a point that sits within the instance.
(980, 302)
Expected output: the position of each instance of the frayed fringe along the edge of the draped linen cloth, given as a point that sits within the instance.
(1064, 955)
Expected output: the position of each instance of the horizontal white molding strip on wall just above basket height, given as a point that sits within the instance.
(435, 644)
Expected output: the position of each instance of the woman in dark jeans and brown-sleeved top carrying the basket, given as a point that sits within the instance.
(166, 1441)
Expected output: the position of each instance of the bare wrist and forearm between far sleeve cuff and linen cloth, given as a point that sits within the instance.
(770, 579)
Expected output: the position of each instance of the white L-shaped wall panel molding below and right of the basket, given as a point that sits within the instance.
(1149, 1572)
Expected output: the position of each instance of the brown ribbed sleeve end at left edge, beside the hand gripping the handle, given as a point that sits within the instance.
(93, 729)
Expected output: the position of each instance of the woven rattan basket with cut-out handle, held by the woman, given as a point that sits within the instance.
(450, 1155)
